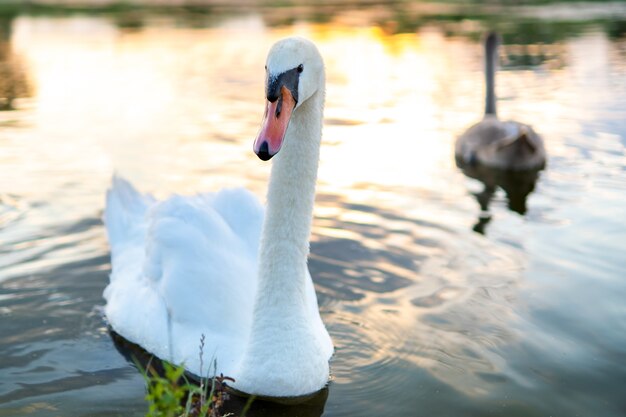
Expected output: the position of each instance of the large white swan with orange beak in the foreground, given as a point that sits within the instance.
(212, 263)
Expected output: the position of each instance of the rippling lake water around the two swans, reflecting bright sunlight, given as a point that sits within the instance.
(444, 296)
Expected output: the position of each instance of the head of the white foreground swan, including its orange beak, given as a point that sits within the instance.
(294, 72)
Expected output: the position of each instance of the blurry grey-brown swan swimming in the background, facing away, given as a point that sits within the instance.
(507, 145)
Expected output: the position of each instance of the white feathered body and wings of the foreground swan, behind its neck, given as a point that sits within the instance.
(181, 268)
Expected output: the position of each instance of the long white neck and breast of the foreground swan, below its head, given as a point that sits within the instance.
(283, 334)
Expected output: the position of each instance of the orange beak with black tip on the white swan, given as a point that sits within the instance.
(275, 122)
